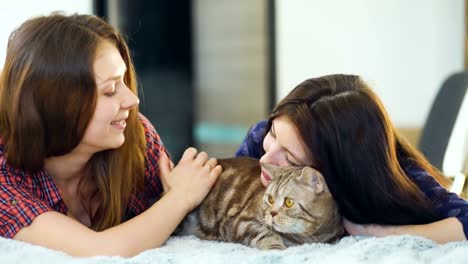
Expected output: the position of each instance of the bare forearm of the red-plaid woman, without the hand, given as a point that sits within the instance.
(148, 230)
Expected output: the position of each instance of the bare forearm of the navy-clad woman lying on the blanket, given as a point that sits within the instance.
(442, 231)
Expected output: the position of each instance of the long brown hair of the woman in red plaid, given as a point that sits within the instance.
(47, 98)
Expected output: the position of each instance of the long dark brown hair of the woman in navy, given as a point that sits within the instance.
(361, 155)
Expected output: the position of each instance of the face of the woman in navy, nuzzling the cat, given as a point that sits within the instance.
(283, 147)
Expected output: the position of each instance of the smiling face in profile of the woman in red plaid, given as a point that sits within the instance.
(114, 101)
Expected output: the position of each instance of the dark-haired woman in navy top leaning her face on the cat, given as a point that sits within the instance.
(381, 183)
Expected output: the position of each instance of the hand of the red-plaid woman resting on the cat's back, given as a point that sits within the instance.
(192, 178)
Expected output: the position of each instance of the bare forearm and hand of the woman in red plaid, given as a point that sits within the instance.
(189, 183)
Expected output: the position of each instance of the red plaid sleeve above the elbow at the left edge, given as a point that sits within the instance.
(18, 209)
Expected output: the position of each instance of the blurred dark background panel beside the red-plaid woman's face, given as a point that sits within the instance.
(160, 36)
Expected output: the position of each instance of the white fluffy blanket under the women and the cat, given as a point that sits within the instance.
(393, 249)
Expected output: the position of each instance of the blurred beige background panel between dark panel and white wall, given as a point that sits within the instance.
(232, 71)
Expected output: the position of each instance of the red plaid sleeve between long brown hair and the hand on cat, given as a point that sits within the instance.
(154, 147)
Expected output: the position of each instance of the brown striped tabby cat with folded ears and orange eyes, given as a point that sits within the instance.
(294, 209)
